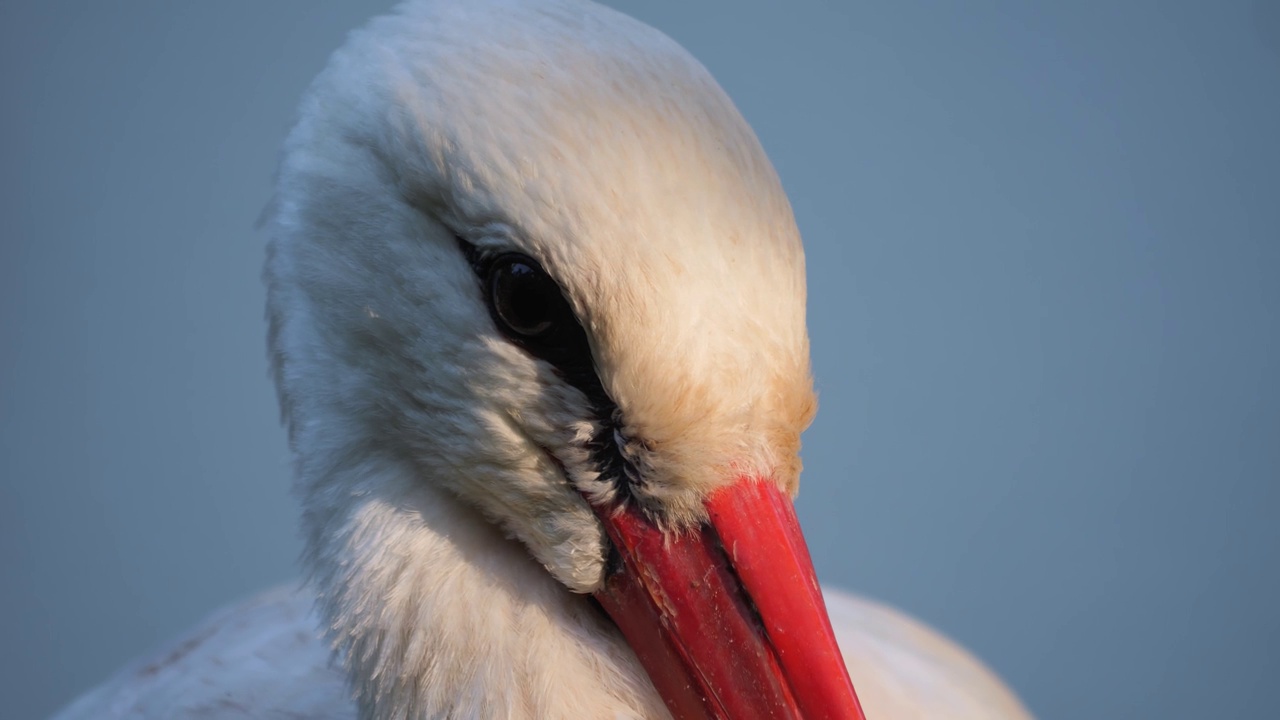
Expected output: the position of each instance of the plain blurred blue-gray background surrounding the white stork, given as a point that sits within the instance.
(1045, 281)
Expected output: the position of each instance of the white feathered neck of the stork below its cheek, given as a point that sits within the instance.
(436, 614)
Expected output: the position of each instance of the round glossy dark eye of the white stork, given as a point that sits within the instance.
(525, 300)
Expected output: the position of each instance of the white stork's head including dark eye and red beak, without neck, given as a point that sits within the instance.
(533, 254)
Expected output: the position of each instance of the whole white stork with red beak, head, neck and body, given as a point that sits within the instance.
(536, 304)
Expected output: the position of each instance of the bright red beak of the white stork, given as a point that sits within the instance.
(728, 618)
